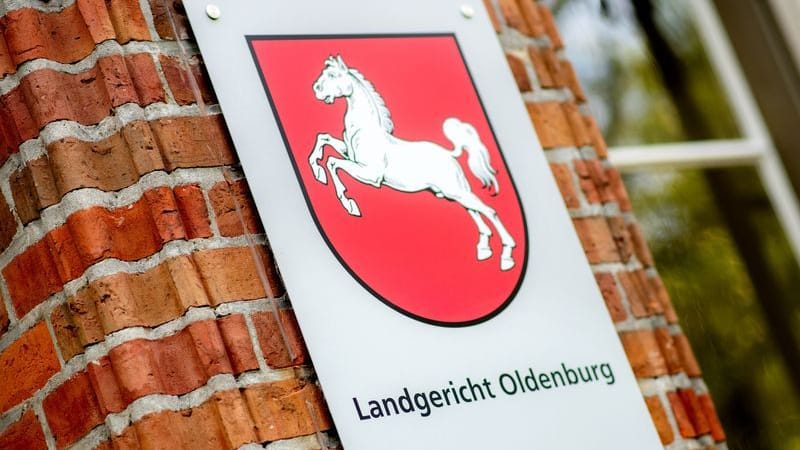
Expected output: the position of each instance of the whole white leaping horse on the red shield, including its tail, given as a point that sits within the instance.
(372, 155)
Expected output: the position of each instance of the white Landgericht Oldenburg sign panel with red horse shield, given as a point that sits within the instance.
(435, 273)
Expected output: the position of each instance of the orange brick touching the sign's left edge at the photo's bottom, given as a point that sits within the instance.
(279, 409)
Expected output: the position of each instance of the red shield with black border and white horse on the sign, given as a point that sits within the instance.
(409, 236)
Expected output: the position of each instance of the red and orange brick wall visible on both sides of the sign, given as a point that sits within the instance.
(136, 280)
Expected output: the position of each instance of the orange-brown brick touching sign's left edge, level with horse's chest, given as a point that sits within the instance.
(193, 141)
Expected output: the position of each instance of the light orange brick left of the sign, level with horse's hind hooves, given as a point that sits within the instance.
(230, 274)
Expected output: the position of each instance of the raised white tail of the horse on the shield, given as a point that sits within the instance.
(465, 137)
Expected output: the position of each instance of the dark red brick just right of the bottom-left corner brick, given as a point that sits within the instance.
(72, 410)
